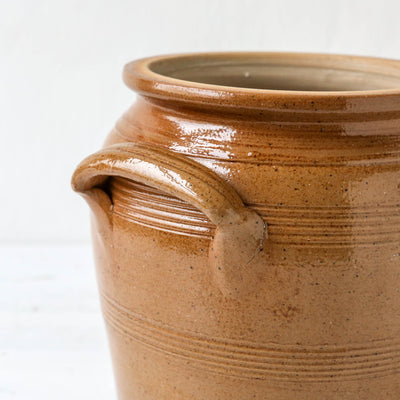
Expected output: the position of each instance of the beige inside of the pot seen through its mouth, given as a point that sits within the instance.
(275, 73)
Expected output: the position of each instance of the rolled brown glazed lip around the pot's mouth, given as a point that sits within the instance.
(139, 76)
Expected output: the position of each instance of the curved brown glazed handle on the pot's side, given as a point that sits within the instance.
(240, 232)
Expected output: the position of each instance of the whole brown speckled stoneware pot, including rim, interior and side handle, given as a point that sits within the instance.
(246, 225)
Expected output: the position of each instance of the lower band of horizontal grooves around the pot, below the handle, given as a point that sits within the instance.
(256, 360)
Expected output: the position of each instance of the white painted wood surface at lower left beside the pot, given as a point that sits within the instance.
(52, 338)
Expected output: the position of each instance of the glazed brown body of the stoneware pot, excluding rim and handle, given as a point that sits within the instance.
(321, 318)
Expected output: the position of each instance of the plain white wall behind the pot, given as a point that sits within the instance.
(61, 88)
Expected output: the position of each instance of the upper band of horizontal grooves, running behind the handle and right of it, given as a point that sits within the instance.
(338, 226)
